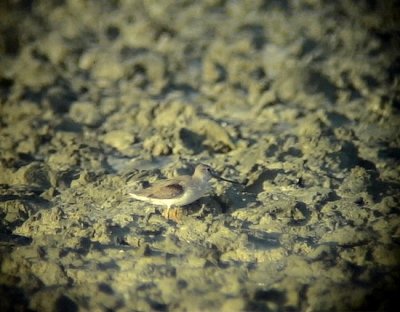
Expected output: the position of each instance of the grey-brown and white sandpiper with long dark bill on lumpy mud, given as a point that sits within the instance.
(181, 190)
